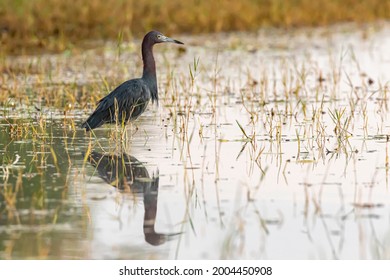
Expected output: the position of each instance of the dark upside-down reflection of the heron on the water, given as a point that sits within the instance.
(128, 174)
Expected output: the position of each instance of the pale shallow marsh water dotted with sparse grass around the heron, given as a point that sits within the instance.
(277, 149)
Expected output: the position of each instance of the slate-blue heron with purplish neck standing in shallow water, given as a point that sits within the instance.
(129, 100)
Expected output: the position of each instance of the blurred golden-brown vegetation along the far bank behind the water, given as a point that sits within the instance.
(55, 25)
